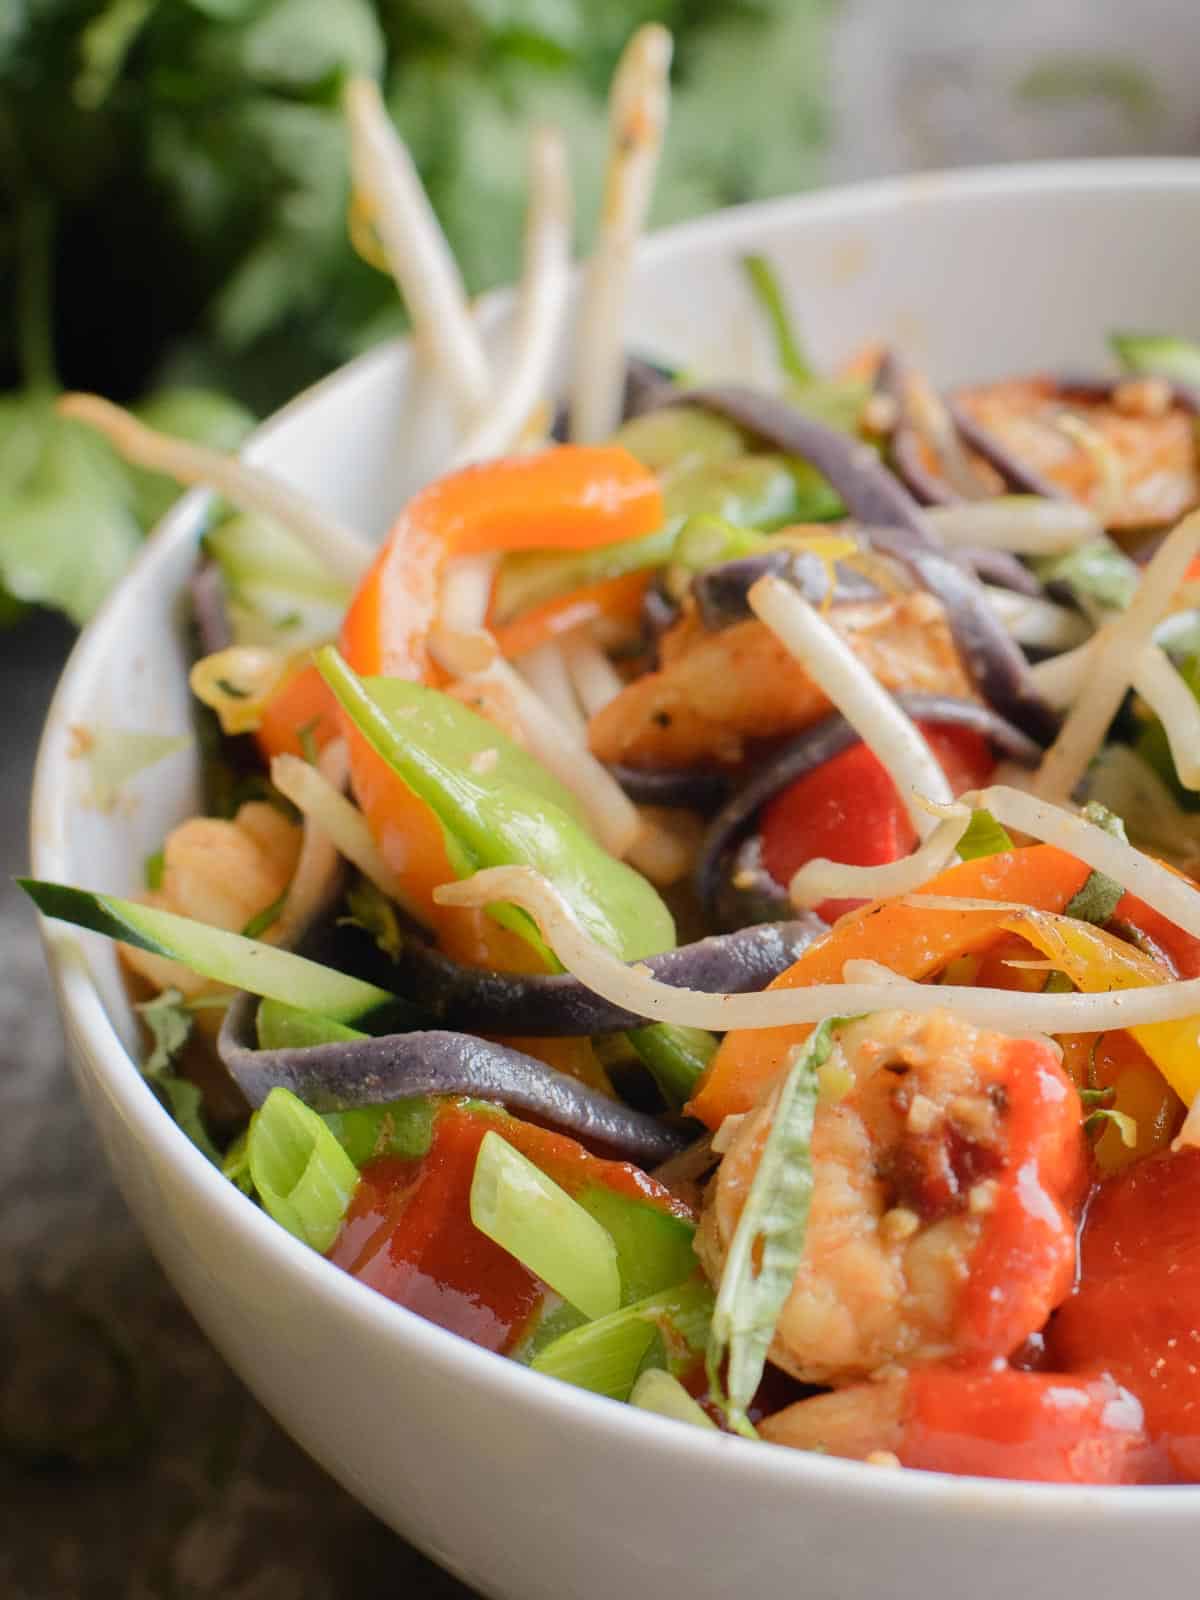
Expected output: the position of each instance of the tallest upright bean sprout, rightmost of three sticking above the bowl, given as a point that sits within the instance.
(638, 119)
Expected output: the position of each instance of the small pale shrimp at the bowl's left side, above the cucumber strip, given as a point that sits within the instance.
(223, 874)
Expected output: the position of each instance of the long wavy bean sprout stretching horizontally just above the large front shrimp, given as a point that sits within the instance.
(634, 990)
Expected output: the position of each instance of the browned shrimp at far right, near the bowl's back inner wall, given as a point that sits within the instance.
(1148, 442)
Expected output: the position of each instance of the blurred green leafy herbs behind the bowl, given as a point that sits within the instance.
(174, 191)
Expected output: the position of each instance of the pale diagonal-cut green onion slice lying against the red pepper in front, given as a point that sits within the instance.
(537, 1222)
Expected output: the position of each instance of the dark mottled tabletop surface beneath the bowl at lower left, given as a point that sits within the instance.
(186, 1490)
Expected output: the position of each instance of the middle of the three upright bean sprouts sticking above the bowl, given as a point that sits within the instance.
(542, 305)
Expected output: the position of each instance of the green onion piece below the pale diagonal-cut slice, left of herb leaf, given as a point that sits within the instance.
(607, 1356)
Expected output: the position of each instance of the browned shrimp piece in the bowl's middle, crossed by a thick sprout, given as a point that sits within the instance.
(716, 692)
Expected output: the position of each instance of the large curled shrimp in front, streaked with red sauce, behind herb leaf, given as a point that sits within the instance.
(946, 1180)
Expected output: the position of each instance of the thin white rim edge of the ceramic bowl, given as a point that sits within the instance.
(671, 1447)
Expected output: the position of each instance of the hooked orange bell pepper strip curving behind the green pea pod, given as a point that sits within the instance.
(570, 498)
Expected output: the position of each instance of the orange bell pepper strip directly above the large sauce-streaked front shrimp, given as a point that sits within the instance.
(914, 942)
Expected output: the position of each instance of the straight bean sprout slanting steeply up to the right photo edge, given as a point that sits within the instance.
(1111, 670)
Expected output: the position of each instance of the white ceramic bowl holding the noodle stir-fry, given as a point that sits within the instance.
(524, 1487)
